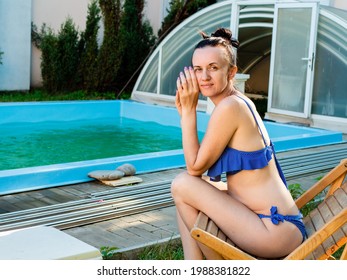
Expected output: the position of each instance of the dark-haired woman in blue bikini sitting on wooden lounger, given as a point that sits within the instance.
(254, 207)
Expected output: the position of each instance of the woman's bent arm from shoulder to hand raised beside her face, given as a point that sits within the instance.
(221, 127)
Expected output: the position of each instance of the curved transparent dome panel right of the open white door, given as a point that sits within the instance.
(330, 83)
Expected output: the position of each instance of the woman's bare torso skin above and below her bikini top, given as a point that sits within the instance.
(258, 189)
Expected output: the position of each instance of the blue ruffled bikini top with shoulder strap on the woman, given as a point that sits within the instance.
(233, 161)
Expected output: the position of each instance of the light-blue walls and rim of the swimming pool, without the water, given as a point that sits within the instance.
(285, 137)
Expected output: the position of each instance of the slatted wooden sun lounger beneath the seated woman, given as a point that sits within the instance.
(326, 225)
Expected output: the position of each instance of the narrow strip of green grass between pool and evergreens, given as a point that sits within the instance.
(40, 95)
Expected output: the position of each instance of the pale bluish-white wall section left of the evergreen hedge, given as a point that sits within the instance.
(15, 42)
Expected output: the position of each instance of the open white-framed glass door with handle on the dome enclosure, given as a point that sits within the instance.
(292, 58)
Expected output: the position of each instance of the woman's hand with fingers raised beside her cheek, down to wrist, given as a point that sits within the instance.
(187, 94)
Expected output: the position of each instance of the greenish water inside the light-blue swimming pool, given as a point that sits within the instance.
(45, 143)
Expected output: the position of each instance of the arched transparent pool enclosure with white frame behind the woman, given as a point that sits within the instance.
(294, 54)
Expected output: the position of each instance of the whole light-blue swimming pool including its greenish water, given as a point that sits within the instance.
(150, 140)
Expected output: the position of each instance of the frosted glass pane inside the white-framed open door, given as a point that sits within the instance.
(292, 44)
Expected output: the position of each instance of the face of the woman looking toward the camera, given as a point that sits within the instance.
(212, 70)
